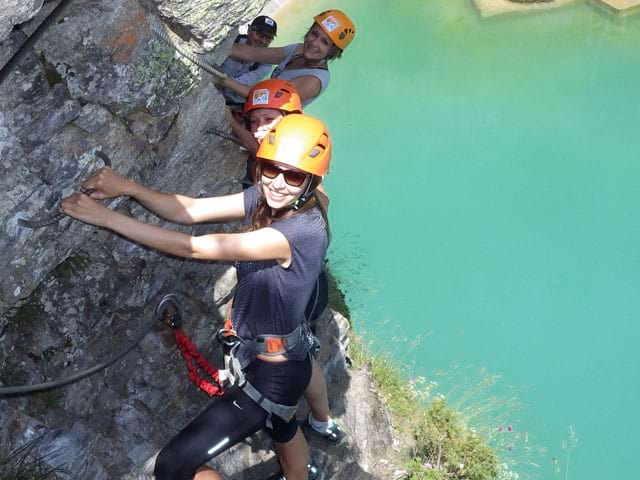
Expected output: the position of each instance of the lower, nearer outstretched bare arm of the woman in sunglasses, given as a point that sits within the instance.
(263, 244)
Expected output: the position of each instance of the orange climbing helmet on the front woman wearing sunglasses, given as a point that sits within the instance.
(300, 141)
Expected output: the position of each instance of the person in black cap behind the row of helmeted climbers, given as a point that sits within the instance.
(261, 33)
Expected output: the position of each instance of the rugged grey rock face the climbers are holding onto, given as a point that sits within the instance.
(72, 297)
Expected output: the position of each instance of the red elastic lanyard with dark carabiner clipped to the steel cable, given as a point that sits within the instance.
(169, 312)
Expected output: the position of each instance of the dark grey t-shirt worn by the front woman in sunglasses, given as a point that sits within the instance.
(271, 299)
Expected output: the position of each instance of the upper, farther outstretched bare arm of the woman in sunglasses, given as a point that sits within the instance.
(176, 208)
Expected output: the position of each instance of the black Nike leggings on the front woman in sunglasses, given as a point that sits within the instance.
(233, 417)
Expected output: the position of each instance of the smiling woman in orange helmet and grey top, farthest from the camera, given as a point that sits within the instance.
(305, 65)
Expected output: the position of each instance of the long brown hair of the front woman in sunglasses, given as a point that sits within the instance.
(264, 215)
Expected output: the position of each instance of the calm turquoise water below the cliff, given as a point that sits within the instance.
(485, 214)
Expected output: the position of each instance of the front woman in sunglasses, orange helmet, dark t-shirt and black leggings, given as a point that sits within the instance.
(278, 260)
